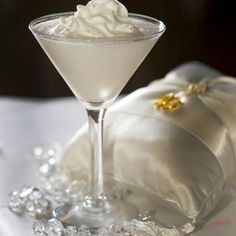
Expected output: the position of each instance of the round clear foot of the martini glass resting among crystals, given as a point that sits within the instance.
(78, 215)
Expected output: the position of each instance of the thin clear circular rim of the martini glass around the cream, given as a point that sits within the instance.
(153, 34)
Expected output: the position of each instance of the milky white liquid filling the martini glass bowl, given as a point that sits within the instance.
(96, 71)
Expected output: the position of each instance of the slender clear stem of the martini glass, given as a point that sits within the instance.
(96, 200)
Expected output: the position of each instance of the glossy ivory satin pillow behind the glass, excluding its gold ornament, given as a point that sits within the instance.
(185, 157)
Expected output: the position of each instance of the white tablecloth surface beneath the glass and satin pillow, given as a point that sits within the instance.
(25, 124)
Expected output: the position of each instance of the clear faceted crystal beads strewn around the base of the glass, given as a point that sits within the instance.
(61, 188)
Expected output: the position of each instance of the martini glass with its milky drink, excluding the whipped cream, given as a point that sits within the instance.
(96, 70)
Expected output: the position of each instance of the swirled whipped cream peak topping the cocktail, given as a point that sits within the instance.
(99, 18)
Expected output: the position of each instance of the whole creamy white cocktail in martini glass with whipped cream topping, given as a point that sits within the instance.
(96, 50)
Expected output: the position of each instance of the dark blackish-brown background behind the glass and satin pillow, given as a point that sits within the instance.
(201, 30)
